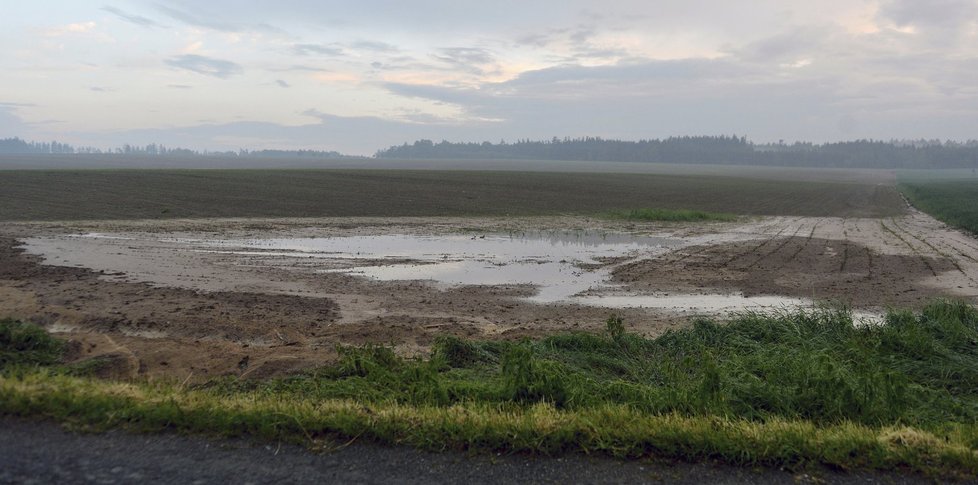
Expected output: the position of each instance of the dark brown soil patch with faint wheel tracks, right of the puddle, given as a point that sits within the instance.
(793, 266)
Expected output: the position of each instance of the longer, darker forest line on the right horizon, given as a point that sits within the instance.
(731, 150)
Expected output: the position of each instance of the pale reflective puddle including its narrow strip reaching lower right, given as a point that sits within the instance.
(565, 267)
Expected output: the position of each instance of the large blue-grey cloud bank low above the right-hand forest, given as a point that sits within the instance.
(662, 98)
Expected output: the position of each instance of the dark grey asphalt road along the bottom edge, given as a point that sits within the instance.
(43, 453)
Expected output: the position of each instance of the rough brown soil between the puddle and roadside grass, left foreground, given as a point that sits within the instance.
(196, 334)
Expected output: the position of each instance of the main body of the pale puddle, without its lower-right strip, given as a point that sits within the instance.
(555, 263)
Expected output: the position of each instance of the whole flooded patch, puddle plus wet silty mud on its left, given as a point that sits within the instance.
(563, 268)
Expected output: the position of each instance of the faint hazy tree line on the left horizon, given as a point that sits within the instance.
(16, 146)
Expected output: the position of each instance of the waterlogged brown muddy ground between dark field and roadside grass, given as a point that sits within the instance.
(159, 300)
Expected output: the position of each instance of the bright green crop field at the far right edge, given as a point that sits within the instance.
(953, 202)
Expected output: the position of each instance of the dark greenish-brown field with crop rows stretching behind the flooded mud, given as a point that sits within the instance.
(33, 195)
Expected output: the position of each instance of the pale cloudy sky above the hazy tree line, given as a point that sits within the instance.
(360, 76)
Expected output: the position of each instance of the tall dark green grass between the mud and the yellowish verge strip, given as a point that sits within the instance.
(815, 366)
